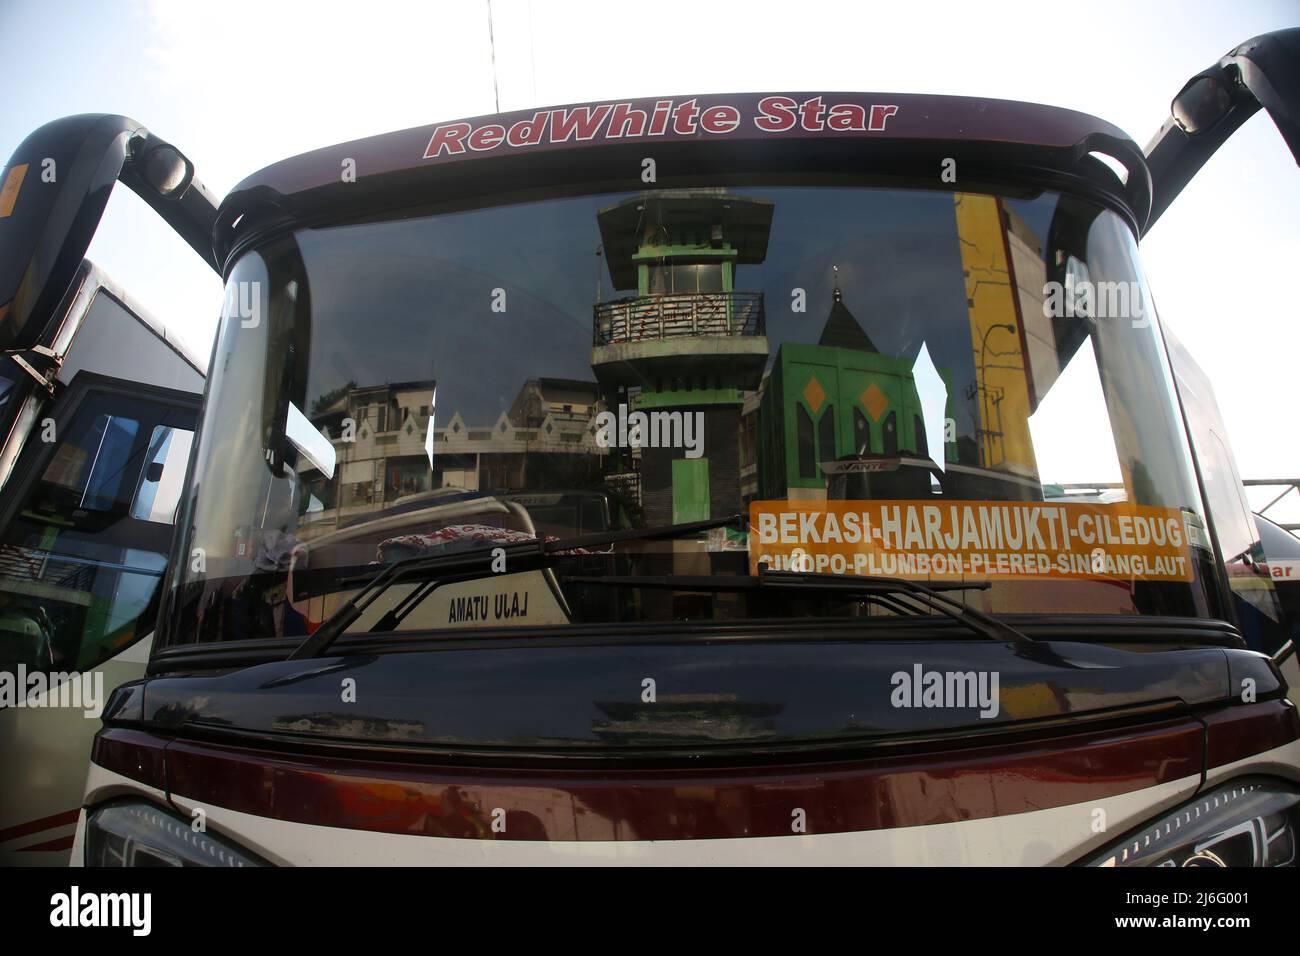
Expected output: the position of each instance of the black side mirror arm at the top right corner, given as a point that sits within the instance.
(1262, 73)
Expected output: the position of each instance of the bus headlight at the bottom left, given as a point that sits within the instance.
(141, 834)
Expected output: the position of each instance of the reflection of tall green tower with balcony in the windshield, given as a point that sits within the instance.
(687, 344)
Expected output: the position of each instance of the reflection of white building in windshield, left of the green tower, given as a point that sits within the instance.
(547, 439)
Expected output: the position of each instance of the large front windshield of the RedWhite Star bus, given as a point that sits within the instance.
(930, 386)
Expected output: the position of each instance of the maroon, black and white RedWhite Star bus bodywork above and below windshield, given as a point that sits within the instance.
(540, 749)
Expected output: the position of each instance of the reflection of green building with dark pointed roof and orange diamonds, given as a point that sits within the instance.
(835, 408)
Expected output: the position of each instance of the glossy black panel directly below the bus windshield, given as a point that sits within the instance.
(696, 698)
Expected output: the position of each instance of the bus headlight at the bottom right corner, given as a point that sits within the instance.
(1247, 823)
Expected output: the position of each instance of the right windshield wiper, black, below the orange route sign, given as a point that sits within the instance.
(878, 586)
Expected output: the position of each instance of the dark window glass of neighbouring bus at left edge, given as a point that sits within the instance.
(80, 560)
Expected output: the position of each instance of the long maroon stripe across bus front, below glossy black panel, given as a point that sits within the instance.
(657, 806)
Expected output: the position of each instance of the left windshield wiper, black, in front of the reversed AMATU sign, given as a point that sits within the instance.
(471, 565)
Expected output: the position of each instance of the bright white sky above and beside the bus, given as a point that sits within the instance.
(240, 84)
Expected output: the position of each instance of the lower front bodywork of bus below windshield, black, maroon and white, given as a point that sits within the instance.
(1094, 743)
